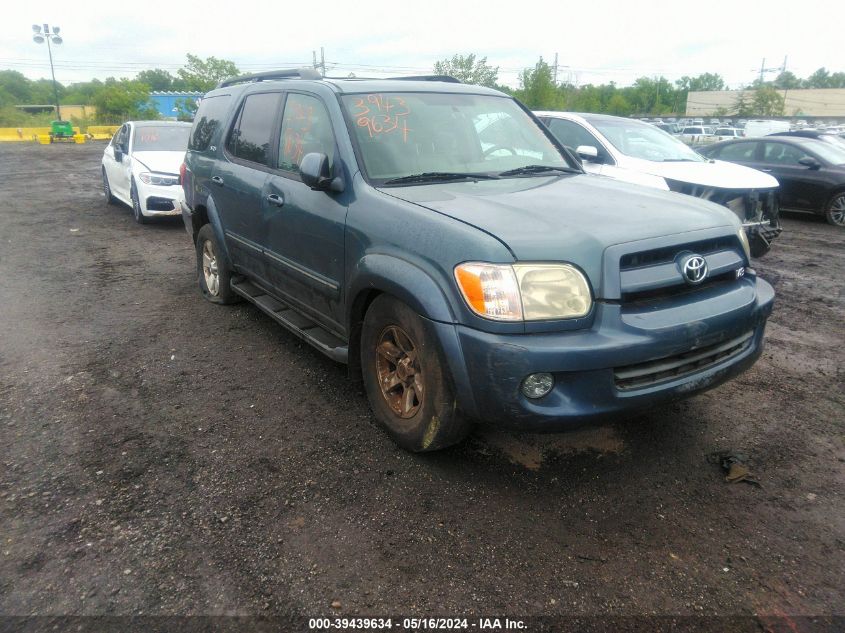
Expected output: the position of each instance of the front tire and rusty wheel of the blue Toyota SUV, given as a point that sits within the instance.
(418, 411)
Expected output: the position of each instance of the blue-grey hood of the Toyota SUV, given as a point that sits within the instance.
(569, 218)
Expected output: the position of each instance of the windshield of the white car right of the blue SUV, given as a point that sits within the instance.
(641, 140)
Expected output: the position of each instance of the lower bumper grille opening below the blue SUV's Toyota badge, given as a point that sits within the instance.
(661, 370)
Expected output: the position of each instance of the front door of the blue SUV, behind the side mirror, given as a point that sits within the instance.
(303, 230)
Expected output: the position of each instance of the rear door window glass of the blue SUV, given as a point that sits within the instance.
(252, 137)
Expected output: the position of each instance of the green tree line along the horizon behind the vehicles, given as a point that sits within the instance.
(119, 99)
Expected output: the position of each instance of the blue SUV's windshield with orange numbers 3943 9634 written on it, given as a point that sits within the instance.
(407, 134)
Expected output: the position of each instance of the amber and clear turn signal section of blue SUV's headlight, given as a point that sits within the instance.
(490, 290)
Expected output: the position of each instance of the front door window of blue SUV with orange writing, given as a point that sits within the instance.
(306, 128)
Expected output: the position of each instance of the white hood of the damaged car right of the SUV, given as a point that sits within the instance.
(709, 174)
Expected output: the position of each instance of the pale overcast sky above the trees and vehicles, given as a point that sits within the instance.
(596, 42)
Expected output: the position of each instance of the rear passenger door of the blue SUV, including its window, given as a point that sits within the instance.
(238, 181)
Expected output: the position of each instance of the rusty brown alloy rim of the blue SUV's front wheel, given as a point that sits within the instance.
(399, 372)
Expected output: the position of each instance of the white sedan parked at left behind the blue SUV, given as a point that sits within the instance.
(141, 167)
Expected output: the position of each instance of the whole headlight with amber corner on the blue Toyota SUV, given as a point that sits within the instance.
(529, 292)
